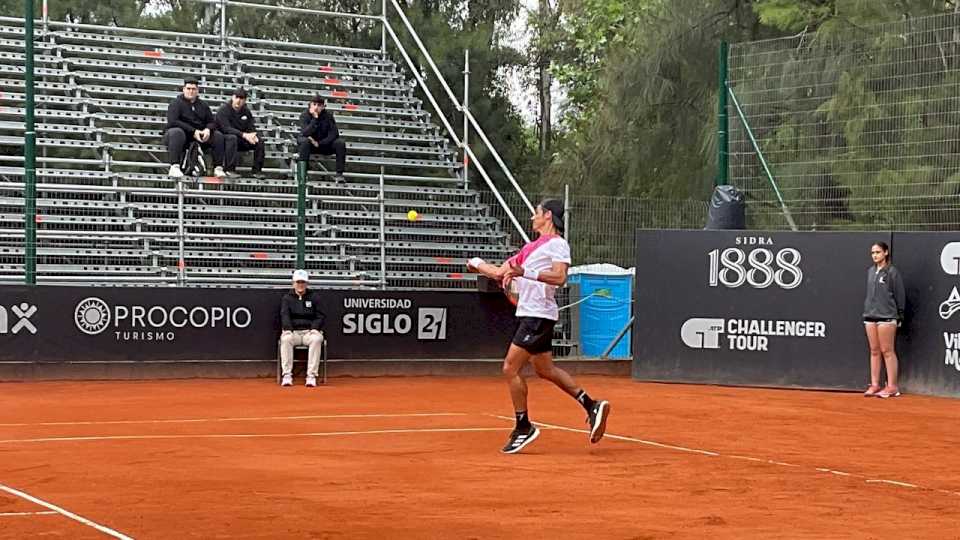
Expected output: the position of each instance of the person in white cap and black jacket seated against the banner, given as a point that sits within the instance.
(302, 323)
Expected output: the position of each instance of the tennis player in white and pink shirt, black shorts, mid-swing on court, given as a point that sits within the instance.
(539, 268)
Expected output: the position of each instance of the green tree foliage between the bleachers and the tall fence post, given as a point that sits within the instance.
(643, 97)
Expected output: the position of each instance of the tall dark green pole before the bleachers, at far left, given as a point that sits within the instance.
(29, 155)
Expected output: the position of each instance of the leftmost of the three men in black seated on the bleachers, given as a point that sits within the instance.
(190, 118)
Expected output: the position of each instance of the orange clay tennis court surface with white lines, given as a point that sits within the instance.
(419, 458)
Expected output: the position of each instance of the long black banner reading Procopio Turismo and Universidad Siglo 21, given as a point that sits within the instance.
(97, 324)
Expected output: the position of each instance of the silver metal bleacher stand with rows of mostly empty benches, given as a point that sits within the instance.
(107, 213)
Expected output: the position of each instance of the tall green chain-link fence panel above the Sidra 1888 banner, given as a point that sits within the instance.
(861, 129)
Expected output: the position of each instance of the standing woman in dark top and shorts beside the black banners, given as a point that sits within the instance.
(882, 315)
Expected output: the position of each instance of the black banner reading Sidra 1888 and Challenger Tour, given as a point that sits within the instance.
(752, 308)
